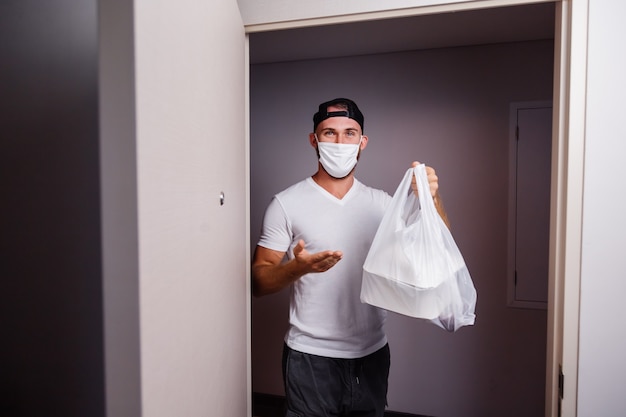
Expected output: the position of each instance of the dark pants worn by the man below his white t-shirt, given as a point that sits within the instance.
(316, 386)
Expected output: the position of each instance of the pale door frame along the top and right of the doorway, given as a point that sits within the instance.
(568, 139)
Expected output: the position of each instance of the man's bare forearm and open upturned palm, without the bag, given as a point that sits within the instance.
(270, 274)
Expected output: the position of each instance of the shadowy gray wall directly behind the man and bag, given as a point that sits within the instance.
(450, 109)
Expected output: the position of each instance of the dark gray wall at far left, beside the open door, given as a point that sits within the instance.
(52, 349)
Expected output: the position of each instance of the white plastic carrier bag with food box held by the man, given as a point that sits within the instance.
(414, 267)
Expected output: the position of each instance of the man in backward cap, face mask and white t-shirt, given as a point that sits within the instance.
(336, 358)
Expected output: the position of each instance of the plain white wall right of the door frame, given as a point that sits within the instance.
(602, 367)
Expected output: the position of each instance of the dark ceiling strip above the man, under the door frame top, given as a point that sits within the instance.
(473, 27)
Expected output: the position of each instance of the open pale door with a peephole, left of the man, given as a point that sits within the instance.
(190, 299)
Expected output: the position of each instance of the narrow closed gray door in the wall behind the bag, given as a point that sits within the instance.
(529, 205)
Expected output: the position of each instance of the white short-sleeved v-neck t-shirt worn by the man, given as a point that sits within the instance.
(326, 316)
